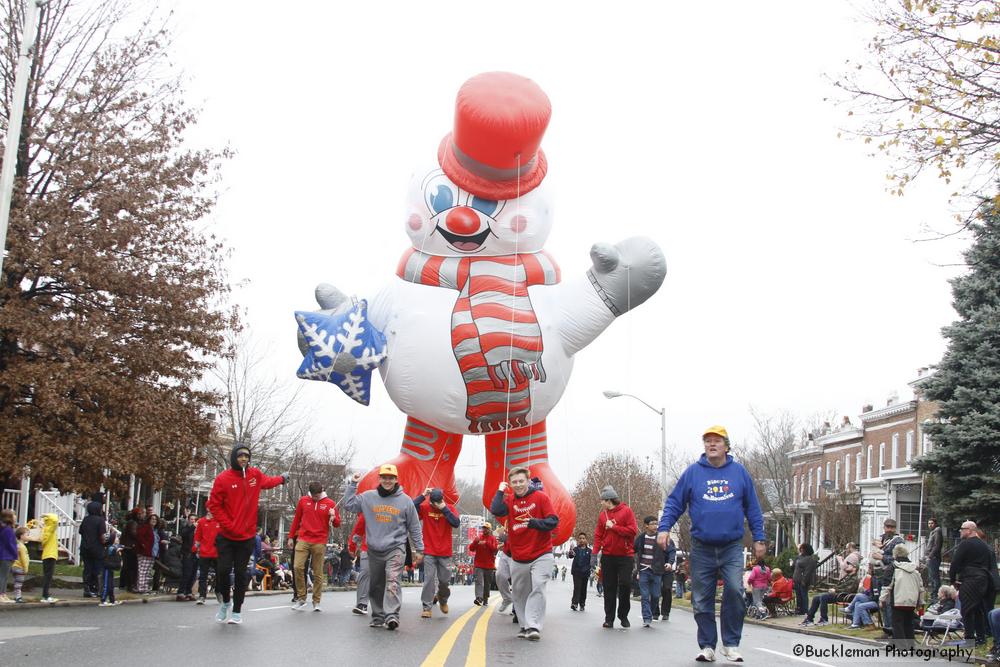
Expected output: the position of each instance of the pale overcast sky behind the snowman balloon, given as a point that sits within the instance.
(793, 282)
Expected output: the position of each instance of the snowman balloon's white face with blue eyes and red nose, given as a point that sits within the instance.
(445, 220)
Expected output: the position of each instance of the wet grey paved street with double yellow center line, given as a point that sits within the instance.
(184, 634)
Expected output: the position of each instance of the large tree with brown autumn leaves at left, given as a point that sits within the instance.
(111, 300)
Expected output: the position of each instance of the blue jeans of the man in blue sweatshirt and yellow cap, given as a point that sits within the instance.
(707, 563)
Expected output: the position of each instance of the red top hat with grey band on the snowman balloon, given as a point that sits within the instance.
(494, 152)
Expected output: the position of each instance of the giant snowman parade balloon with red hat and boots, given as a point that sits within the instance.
(476, 333)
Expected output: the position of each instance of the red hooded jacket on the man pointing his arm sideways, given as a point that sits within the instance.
(234, 499)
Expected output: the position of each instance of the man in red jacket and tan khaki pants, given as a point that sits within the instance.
(310, 530)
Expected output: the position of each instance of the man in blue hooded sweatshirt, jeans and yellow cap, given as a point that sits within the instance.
(718, 494)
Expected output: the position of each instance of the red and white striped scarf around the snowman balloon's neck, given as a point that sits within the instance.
(494, 333)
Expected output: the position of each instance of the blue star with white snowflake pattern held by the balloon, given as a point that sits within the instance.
(344, 348)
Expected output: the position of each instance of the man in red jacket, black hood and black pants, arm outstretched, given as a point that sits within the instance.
(233, 501)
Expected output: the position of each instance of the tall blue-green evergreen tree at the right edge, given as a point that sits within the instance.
(965, 458)
